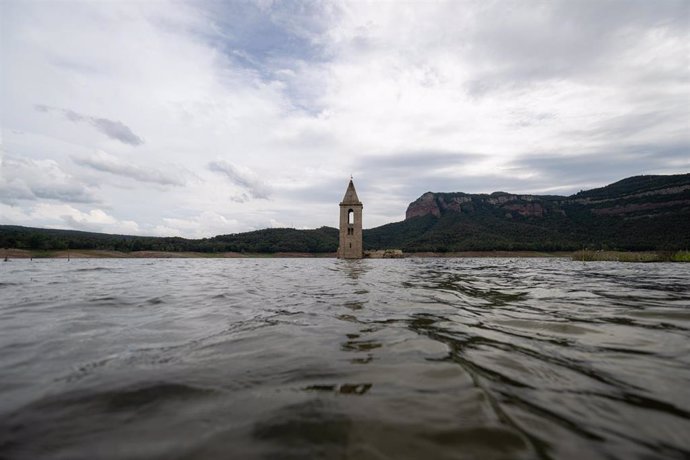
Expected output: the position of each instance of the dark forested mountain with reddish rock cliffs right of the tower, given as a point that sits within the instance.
(637, 213)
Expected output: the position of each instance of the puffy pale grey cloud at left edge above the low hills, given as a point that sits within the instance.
(31, 180)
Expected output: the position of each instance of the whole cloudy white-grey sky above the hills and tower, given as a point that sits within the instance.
(193, 119)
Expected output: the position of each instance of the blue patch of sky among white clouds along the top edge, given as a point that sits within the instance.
(273, 41)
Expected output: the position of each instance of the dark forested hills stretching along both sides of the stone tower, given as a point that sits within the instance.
(637, 213)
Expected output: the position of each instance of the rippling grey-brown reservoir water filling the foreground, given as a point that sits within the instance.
(321, 358)
